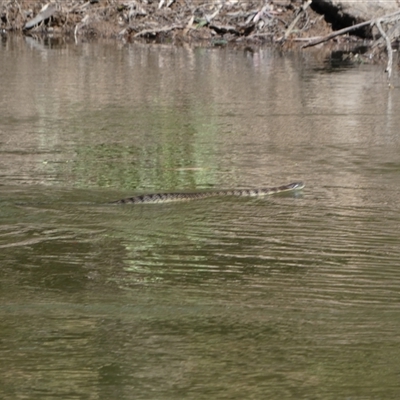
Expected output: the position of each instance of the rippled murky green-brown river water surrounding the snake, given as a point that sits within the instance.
(288, 297)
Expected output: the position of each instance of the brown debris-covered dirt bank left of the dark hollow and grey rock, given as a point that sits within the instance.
(166, 20)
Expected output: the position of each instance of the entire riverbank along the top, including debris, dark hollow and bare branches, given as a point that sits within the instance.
(282, 22)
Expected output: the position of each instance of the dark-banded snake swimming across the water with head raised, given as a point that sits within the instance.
(170, 197)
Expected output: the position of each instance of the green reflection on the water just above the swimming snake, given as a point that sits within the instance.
(147, 148)
